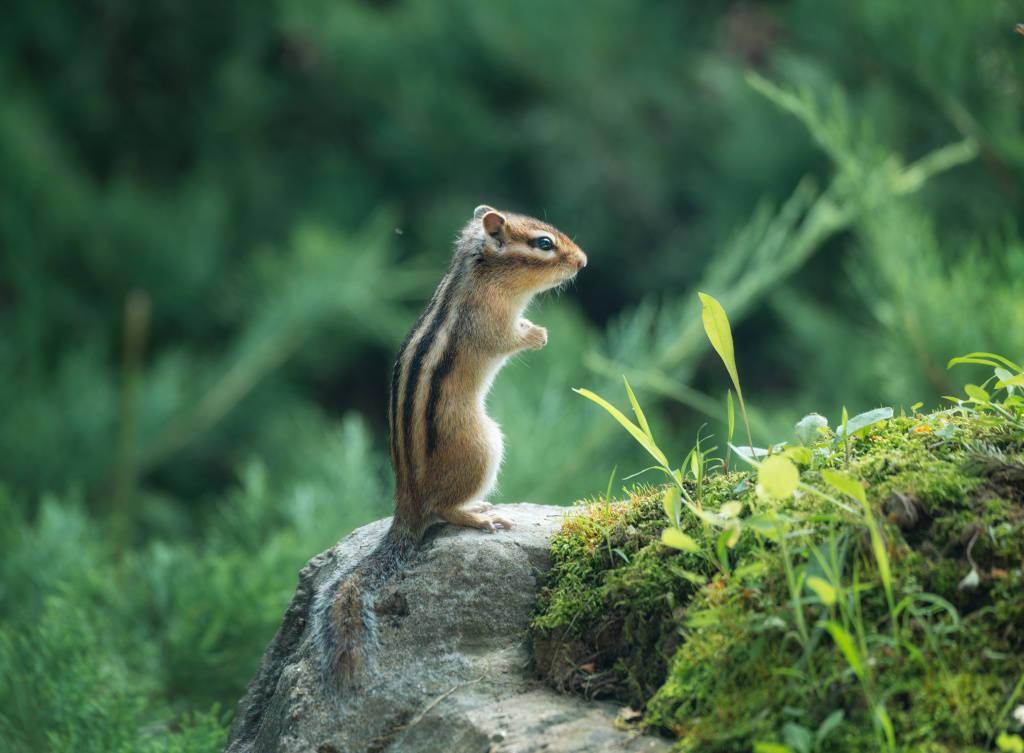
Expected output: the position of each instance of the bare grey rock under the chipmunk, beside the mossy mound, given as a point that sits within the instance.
(452, 670)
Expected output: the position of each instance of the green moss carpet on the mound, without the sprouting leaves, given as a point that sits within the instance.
(714, 655)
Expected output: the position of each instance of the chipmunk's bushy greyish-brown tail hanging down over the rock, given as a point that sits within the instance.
(347, 623)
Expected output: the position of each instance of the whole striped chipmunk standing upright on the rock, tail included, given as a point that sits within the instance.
(446, 450)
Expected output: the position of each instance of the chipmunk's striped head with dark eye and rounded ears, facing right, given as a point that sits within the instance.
(522, 254)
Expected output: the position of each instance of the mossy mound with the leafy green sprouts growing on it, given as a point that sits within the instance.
(859, 591)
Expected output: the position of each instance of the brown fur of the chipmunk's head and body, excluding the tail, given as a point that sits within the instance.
(491, 281)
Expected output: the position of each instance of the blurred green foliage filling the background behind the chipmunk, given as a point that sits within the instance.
(217, 223)
